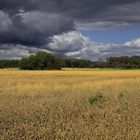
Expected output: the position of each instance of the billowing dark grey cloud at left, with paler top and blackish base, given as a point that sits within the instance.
(33, 28)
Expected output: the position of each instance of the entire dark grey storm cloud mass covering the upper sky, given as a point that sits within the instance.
(32, 23)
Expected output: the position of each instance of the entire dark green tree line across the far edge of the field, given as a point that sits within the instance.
(47, 61)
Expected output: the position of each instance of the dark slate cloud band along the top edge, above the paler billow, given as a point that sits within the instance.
(82, 9)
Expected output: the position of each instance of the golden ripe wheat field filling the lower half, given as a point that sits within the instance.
(58, 105)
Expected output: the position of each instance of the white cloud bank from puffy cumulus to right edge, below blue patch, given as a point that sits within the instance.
(75, 45)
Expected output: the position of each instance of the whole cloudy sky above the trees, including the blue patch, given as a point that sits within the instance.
(82, 29)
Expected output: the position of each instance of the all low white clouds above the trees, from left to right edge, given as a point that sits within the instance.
(74, 45)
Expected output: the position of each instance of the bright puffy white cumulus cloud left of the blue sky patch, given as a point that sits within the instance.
(69, 42)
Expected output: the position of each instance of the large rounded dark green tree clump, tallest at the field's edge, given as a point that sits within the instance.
(41, 61)
